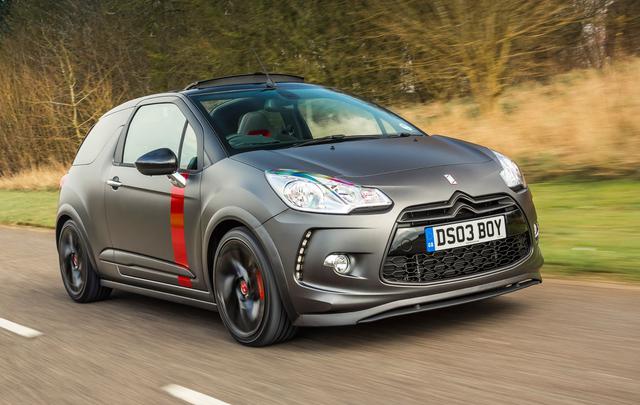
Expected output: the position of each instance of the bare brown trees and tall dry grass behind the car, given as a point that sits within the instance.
(554, 83)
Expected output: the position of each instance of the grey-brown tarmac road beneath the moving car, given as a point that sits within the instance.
(558, 343)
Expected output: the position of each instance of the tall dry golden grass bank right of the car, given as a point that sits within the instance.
(583, 124)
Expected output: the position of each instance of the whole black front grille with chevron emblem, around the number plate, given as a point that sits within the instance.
(408, 261)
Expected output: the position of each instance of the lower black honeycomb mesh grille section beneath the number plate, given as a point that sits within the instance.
(456, 262)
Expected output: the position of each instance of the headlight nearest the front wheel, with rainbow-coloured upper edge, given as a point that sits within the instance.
(318, 193)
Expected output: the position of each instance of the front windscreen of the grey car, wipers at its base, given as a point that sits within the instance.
(286, 117)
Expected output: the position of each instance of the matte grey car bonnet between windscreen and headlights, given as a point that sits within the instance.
(371, 157)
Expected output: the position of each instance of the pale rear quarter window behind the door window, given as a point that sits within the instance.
(106, 128)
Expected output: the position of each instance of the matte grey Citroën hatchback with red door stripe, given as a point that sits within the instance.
(283, 204)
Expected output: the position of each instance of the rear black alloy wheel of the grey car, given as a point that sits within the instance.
(78, 275)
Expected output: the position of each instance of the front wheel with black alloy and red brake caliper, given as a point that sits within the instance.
(246, 292)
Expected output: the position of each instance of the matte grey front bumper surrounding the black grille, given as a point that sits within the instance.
(323, 298)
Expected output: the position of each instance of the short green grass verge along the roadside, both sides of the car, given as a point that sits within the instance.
(587, 228)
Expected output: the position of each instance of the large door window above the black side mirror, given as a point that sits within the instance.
(154, 126)
